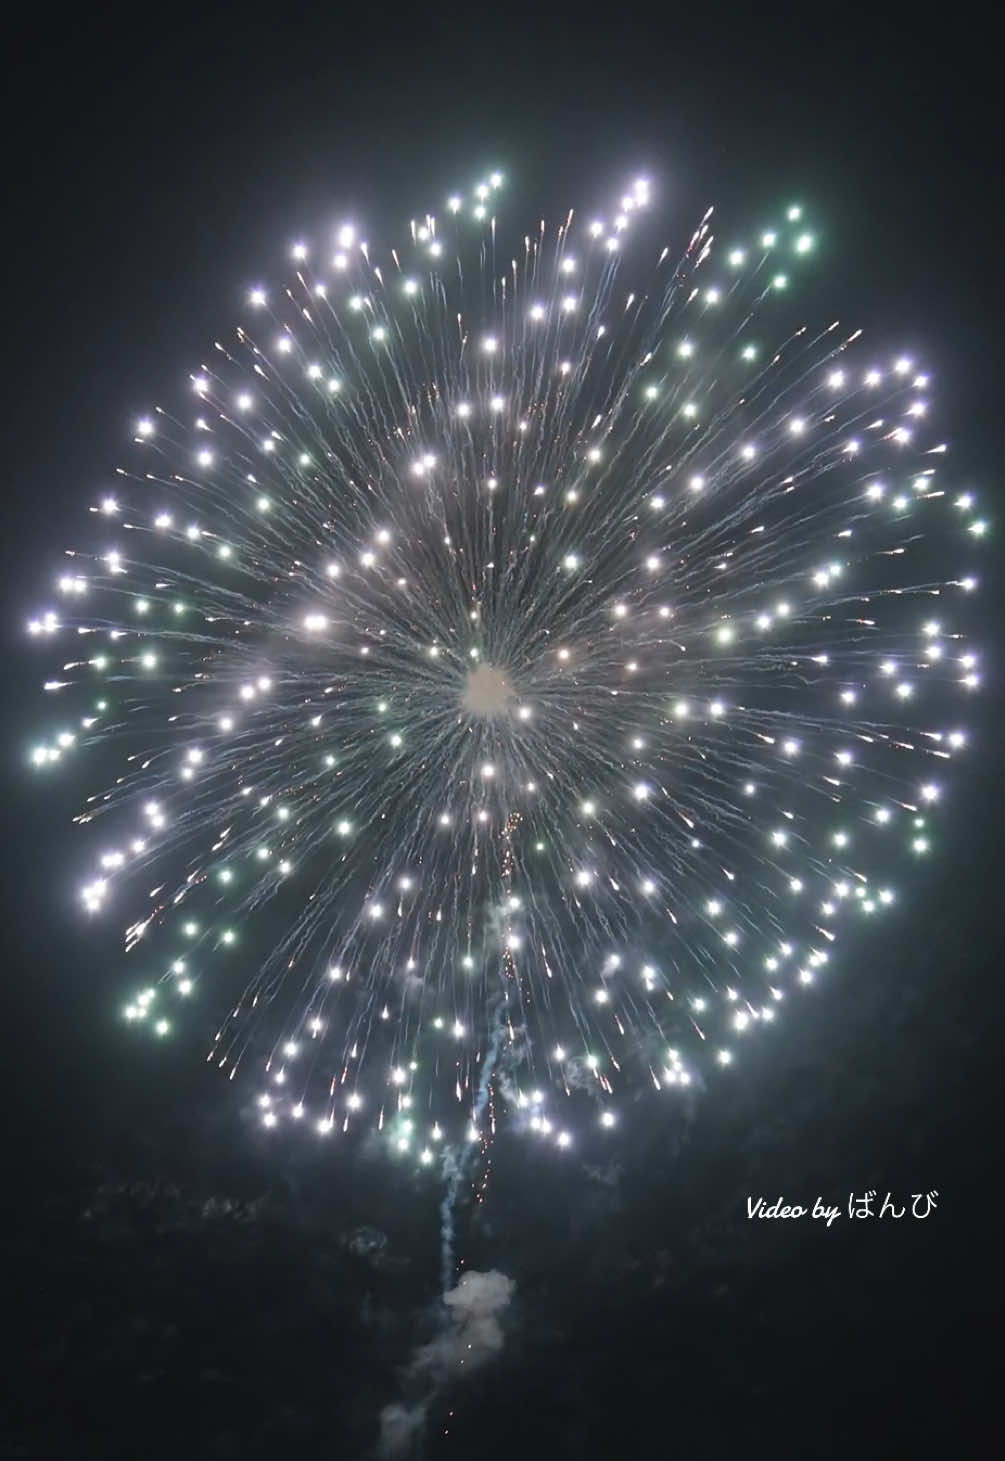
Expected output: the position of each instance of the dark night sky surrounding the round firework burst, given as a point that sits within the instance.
(154, 163)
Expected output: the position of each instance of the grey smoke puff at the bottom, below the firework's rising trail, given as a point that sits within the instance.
(473, 1333)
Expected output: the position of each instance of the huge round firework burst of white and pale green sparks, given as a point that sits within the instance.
(550, 646)
